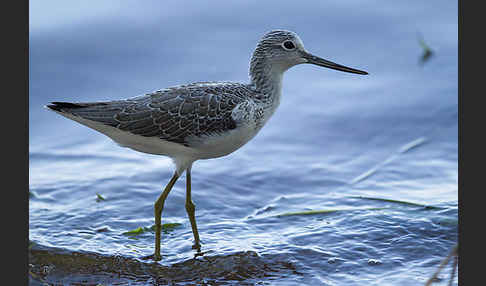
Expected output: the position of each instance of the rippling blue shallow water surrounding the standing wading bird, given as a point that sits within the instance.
(375, 156)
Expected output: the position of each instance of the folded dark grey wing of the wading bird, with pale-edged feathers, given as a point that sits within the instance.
(173, 114)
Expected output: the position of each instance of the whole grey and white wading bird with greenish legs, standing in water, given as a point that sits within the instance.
(200, 120)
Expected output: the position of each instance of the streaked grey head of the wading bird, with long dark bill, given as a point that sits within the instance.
(279, 50)
